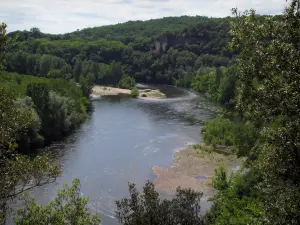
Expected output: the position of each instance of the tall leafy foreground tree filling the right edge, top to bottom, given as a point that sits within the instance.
(269, 95)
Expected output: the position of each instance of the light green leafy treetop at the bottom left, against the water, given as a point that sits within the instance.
(67, 208)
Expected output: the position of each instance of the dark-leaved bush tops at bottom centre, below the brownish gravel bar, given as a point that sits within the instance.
(149, 208)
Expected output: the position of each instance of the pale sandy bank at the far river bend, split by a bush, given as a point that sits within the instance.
(99, 91)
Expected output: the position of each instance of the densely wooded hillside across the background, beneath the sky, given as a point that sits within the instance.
(157, 51)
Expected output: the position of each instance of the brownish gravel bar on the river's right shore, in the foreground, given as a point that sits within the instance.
(193, 168)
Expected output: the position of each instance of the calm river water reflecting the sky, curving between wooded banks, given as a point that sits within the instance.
(120, 143)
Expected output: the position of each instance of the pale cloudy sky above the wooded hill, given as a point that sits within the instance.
(62, 16)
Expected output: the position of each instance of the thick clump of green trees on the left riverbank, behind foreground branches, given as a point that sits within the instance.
(57, 115)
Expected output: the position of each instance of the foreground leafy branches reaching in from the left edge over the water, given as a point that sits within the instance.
(18, 172)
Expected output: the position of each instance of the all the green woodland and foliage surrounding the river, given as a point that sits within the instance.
(248, 63)
